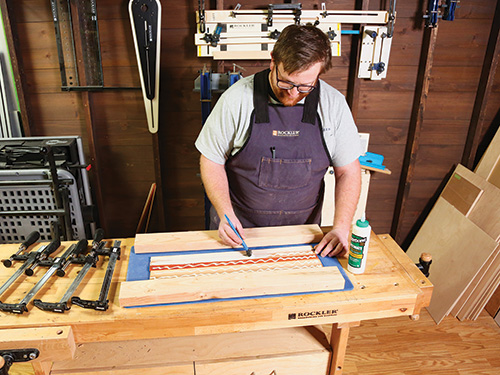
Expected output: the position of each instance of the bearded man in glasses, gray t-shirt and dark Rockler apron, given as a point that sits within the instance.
(270, 139)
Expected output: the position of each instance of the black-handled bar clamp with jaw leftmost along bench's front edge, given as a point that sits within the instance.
(59, 262)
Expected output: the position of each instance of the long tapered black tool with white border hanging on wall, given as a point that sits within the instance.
(145, 19)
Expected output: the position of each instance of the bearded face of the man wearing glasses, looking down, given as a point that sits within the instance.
(303, 78)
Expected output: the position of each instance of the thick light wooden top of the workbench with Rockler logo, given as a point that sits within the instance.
(391, 286)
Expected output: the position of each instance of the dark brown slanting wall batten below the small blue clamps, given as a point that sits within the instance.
(416, 121)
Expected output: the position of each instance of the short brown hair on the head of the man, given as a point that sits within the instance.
(299, 47)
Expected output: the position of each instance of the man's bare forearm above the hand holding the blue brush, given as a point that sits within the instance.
(214, 180)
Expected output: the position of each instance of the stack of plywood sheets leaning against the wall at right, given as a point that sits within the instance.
(462, 232)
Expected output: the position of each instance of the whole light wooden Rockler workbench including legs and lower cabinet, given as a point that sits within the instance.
(277, 334)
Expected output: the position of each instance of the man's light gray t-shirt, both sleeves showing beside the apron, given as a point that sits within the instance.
(227, 128)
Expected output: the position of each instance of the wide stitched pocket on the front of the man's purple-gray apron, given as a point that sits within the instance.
(284, 173)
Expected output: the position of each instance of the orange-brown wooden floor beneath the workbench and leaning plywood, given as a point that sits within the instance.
(399, 346)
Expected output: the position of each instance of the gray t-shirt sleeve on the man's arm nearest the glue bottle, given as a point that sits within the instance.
(347, 143)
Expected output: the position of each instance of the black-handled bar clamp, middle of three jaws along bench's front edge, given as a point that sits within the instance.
(90, 261)
